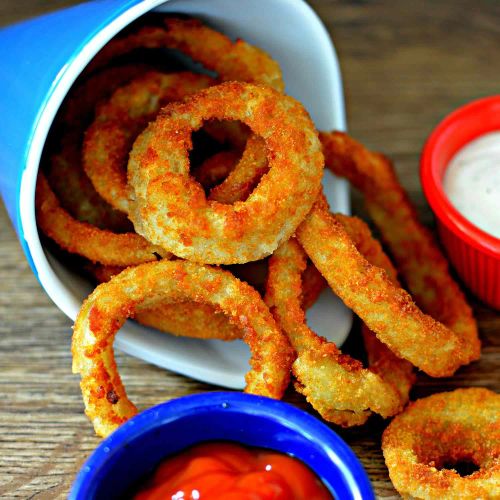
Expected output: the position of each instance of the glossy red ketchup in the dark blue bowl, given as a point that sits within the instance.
(225, 471)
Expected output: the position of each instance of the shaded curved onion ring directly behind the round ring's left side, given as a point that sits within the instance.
(118, 122)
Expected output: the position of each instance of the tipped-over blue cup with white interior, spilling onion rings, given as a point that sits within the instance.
(41, 59)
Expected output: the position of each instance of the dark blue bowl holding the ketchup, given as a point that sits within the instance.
(134, 450)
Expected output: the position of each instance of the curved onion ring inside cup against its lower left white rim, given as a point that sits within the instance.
(97, 245)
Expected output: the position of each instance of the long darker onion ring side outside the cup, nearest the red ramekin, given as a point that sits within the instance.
(418, 258)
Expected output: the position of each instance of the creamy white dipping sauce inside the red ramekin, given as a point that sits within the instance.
(472, 182)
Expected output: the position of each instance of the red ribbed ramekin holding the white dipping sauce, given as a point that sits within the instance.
(474, 253)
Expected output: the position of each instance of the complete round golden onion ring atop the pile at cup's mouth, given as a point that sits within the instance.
(171, 209)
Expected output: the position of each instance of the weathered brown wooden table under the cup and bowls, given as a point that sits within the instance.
(405, 65)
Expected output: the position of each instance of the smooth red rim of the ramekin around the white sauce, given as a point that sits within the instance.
(453, 133)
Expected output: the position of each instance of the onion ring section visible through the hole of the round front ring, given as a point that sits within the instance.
(245, 176)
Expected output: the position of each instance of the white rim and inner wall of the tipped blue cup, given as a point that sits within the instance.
(311, 74)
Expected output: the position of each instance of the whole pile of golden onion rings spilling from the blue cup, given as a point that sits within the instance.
(240, 244)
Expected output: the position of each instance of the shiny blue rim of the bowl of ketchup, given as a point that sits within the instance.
(343, 458)
